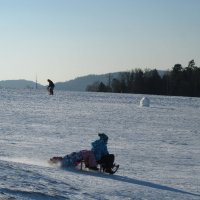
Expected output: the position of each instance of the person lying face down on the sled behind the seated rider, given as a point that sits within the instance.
(73, 159)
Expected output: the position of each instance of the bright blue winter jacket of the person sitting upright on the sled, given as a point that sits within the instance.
(99, 147)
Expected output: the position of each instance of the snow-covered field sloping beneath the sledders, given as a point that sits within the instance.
(157, 147)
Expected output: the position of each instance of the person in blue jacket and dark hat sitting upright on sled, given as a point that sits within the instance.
(102, 156)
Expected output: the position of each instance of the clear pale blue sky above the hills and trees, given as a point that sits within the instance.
(64, 39)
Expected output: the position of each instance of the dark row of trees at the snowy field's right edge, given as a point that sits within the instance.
(180, 81)
